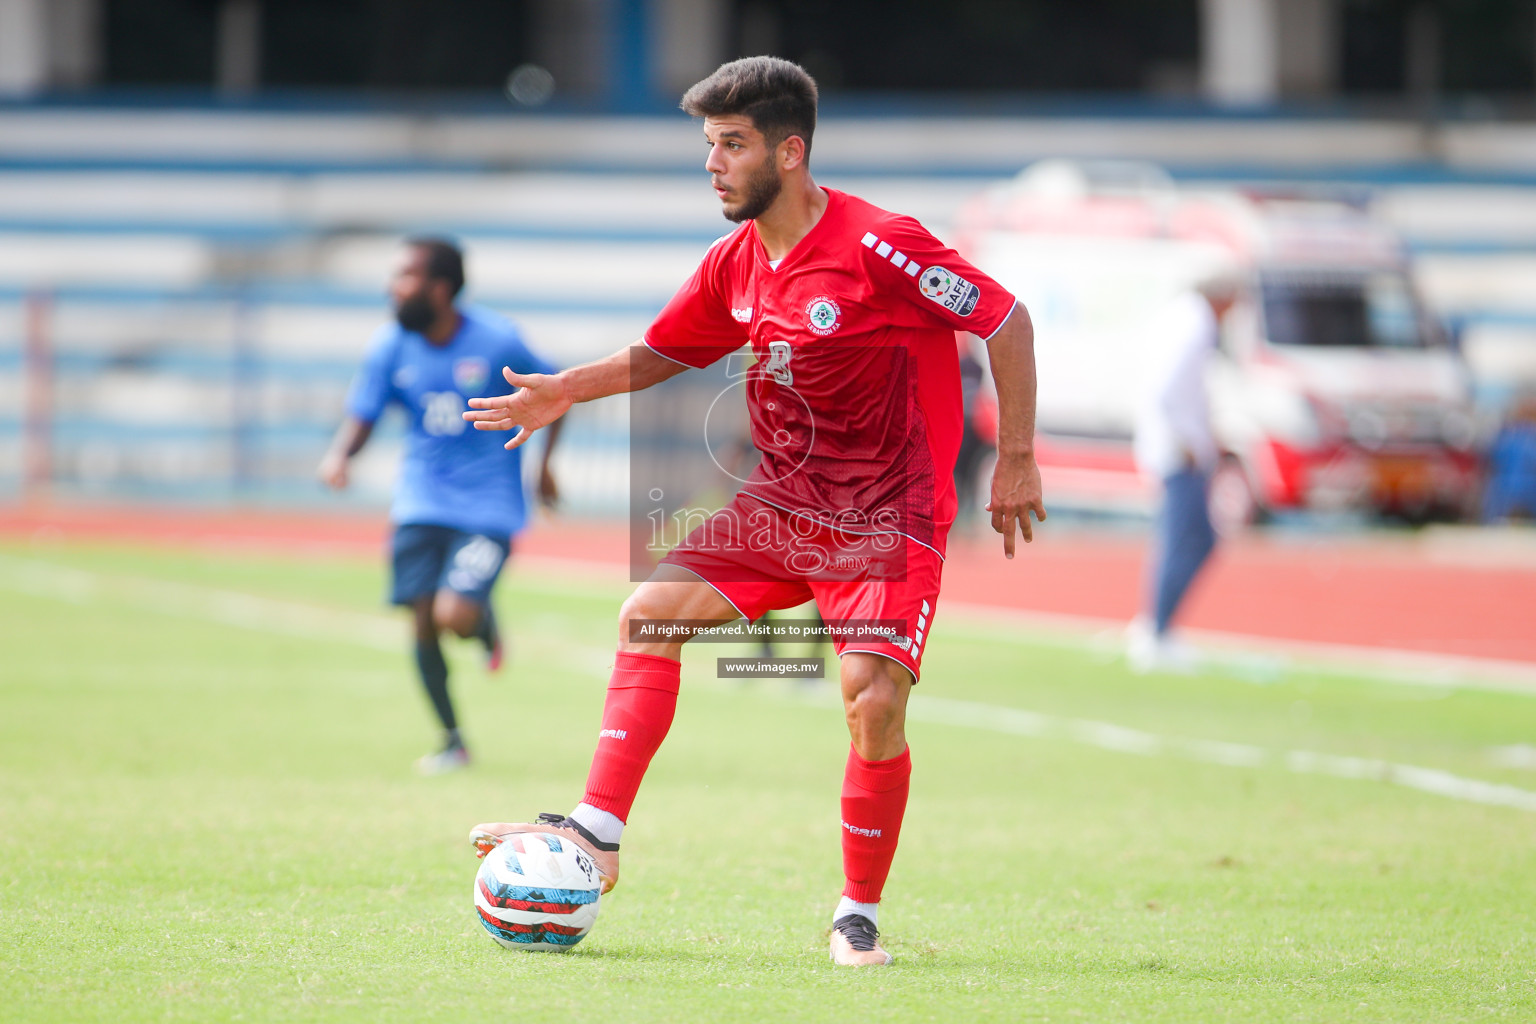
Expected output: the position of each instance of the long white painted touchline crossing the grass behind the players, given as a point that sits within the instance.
(331, 626)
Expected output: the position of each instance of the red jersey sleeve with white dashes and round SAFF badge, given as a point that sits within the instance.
(907, 263)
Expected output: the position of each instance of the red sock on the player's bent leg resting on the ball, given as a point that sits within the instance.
(637, 715)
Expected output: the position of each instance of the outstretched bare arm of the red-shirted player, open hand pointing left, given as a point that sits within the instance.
(543, 398)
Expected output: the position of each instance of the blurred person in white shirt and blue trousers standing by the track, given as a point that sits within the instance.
(1176, 448)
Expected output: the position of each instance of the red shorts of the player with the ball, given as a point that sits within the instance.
(761, 558)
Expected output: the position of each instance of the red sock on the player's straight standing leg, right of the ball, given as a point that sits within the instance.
(875, 799)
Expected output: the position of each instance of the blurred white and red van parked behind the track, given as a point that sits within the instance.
(1334, 388)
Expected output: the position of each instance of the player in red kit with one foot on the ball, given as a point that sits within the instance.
(856, 409)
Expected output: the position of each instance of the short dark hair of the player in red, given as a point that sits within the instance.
(776, 94)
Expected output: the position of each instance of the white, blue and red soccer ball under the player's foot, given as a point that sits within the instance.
(537, 891)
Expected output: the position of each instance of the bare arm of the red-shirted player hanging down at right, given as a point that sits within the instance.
(1016, 480)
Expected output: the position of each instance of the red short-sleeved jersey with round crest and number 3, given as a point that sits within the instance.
(855, 397)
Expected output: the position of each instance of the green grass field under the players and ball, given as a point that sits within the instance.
(208, 813)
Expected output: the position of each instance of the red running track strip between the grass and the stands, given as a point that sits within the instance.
(1462, 593)
